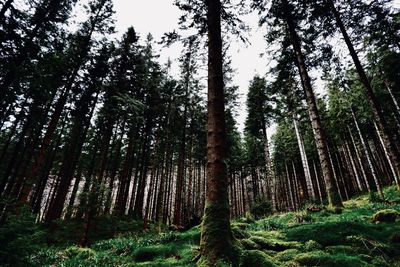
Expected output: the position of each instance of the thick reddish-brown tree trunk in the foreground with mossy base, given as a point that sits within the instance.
(216, 236)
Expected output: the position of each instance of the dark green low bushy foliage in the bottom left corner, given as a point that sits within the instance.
(20, 237)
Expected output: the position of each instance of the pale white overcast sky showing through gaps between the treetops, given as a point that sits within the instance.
(160, 16)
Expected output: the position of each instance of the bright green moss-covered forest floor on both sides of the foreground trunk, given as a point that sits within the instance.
(364, 233)
